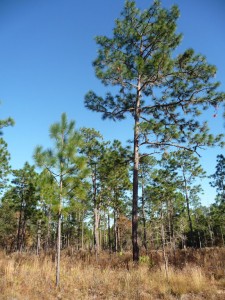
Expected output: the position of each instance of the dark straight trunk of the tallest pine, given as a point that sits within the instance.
(135, 176)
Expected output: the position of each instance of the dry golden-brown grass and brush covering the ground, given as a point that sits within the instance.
(192, 274)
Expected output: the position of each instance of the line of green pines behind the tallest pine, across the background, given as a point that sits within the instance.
(95, 186)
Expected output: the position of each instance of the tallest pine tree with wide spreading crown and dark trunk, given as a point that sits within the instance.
(164, 93)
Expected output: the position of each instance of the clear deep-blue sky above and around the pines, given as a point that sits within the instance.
(46, 53)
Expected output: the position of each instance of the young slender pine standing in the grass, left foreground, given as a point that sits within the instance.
(66, 167)
